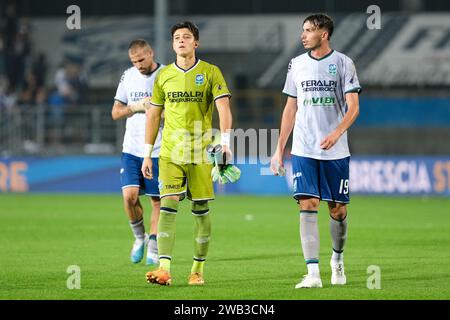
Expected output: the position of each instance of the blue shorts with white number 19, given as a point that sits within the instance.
(323, 179)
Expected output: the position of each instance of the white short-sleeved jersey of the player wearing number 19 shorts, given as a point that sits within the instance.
(320, 86)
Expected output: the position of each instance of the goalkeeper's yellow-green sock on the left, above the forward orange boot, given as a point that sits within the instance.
(166, 231)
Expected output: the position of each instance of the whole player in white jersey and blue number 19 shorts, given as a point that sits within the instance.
(322, 103)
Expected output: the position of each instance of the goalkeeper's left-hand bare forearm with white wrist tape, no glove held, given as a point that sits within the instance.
(153, 119)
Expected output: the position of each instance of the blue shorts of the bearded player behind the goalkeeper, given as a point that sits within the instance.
(131, 175)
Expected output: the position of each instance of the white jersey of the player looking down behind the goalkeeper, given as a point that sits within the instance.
(133, 87)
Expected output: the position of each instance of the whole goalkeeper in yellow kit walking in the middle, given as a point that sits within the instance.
(188, 90)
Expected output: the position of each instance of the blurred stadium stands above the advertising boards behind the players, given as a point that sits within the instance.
(57, 85)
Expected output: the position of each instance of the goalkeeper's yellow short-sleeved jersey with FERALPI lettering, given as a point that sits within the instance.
(188, 98)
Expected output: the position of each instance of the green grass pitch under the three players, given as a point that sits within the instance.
(255, 251)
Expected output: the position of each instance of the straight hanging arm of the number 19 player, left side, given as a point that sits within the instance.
(287, 124)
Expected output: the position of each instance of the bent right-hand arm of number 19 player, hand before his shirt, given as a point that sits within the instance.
(352, 99)
